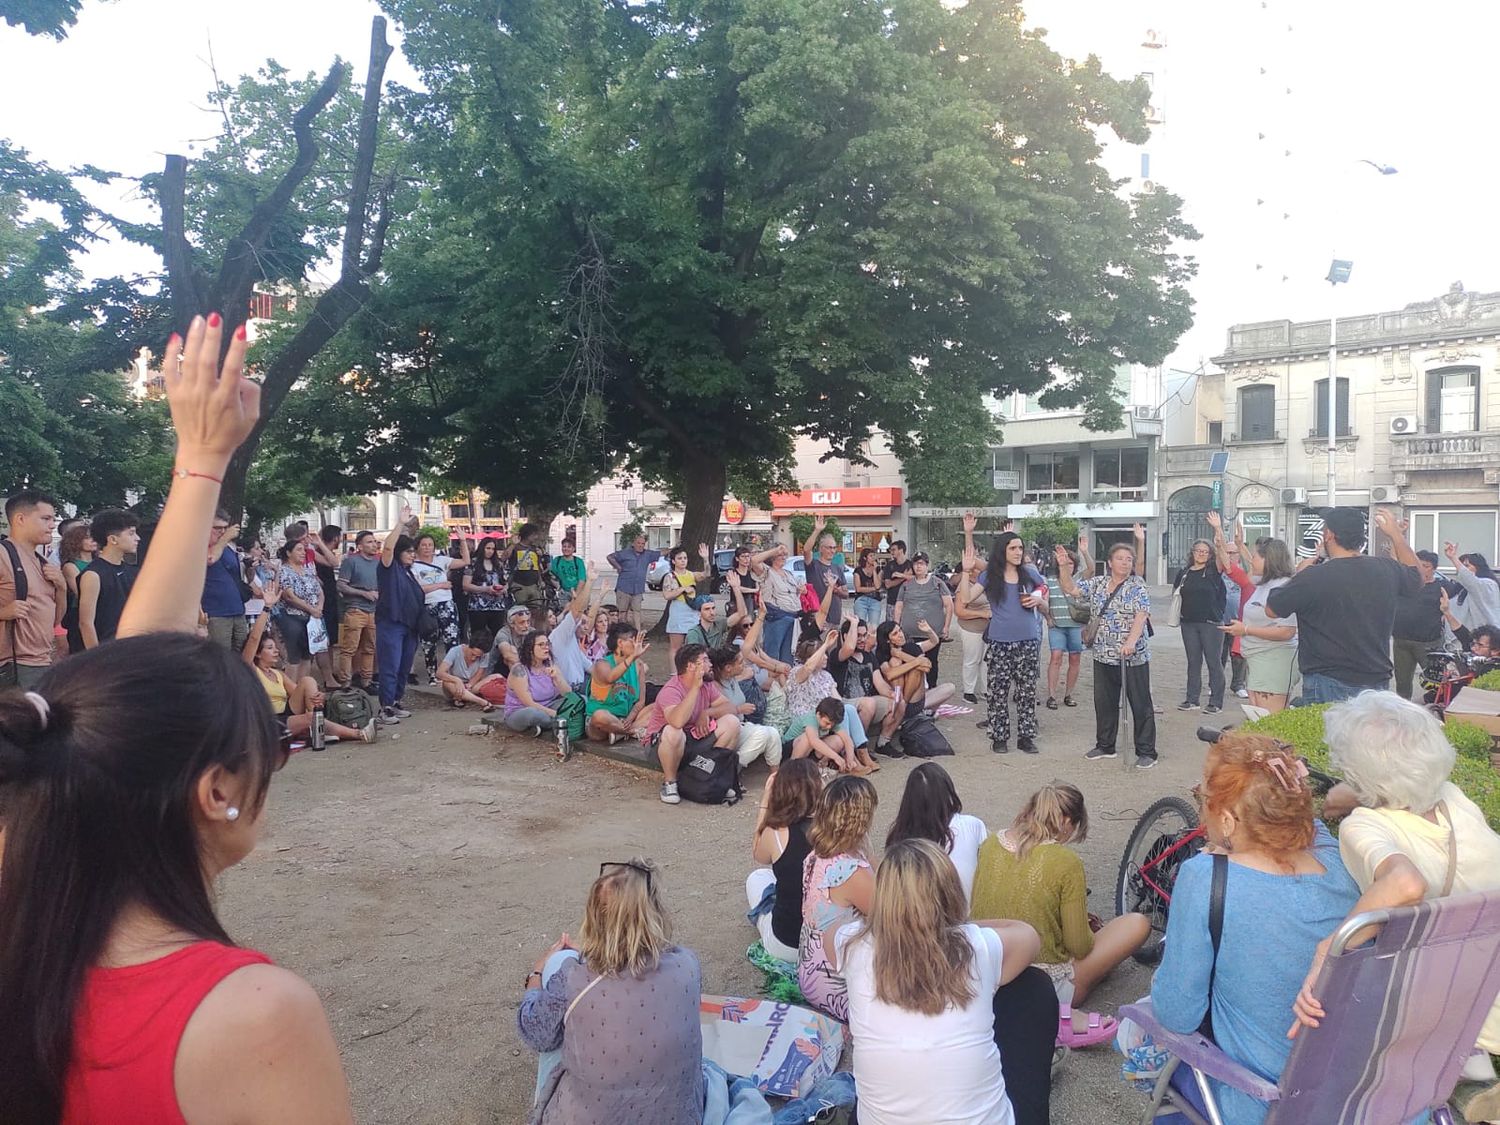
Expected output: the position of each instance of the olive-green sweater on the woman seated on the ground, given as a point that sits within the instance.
(1045, 890)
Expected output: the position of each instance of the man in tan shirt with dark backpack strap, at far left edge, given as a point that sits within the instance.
(34, 595)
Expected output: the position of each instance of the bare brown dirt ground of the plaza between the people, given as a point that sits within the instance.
(413, 883)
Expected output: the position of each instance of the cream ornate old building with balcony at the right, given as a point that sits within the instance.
(1417, 425)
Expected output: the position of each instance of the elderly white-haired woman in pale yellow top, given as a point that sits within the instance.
(1411, 833)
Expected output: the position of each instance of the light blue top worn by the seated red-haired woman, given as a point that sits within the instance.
(1273, 925)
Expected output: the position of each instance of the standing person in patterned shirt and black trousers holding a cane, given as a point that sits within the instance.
(1120, 608)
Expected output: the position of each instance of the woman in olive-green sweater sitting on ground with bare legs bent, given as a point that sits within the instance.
(1028, 872)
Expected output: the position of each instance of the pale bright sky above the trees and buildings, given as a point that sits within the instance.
(1403, 86)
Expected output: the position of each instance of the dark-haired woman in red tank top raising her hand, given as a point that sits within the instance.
(122, 998)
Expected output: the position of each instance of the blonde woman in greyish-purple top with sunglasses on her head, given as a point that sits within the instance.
(616, 1018)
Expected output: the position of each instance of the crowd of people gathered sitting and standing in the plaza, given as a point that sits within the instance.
(959, 958)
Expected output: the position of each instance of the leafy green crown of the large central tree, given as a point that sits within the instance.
(694, 230)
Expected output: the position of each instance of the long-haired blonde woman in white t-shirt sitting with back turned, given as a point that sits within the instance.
(926, 983)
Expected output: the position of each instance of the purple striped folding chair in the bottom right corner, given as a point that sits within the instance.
(1403, 1016)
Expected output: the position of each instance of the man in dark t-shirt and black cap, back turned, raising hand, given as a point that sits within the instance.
(1346, 608)
